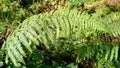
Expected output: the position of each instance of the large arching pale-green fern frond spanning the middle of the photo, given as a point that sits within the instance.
(47, 28)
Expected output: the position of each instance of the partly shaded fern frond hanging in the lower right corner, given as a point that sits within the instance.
(103, 53)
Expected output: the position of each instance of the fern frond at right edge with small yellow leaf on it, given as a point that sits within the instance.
(112, 23)
